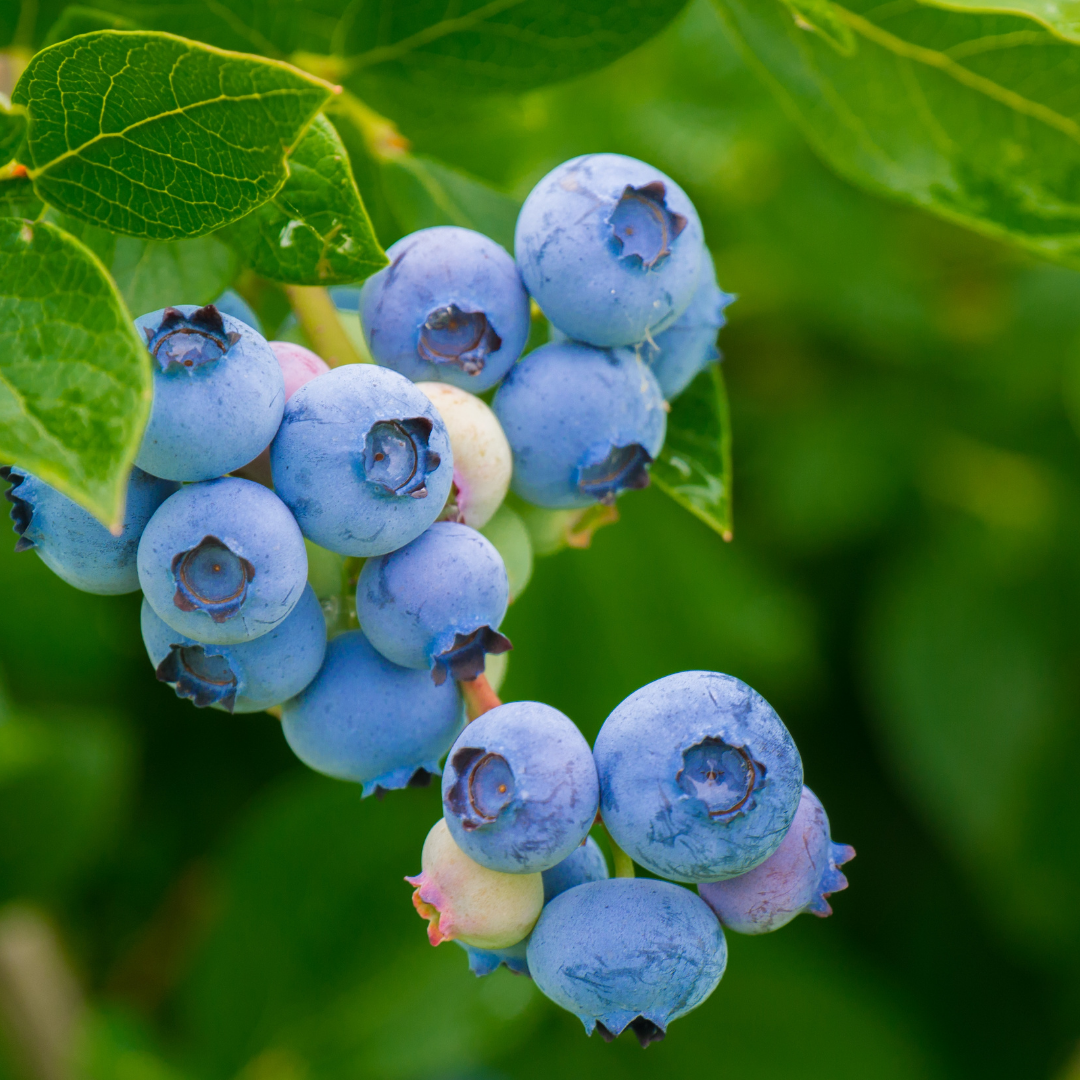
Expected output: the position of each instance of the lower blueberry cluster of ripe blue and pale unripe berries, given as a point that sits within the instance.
(696, 779)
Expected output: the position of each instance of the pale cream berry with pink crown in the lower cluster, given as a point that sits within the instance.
(469, 903)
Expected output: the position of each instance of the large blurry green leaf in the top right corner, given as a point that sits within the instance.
(973, 117)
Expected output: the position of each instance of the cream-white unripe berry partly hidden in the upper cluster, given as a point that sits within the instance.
(482, 462)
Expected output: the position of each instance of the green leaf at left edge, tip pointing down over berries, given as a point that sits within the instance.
(75, 379)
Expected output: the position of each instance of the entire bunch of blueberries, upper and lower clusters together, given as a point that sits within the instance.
(334, 545)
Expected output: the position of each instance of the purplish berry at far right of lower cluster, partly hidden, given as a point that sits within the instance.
(795, 879)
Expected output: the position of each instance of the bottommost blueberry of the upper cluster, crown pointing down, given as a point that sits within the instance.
(367, 720)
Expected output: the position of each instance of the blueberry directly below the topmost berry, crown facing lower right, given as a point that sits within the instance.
(584, 425)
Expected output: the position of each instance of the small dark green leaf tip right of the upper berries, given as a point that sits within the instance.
(695, 466)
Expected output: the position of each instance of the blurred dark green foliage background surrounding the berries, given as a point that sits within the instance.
(903, 587)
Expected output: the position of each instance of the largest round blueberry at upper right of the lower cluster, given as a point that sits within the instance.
(700, 779)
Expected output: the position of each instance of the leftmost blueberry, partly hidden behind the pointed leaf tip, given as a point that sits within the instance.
(74, 544)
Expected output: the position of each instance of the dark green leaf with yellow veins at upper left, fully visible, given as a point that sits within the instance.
(160, 138)
